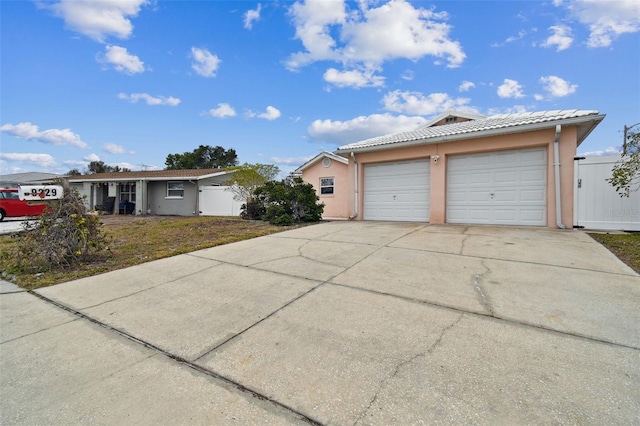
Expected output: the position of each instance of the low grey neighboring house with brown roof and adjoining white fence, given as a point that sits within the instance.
(160, 192)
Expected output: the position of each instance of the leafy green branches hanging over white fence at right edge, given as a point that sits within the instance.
(625, 175)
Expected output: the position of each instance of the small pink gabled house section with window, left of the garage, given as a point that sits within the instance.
(327, 173)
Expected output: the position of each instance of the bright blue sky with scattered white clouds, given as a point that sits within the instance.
(128, 82)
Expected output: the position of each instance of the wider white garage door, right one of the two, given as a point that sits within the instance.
(503, 187)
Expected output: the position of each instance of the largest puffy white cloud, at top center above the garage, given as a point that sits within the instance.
(370, 36)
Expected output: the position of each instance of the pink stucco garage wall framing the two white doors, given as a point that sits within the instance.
(540, 138)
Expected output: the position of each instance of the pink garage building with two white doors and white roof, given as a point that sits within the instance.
(507, 169)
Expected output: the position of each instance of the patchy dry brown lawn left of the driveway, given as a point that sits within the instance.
(139, 239)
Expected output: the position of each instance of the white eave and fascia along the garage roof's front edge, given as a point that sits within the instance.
(594, 120)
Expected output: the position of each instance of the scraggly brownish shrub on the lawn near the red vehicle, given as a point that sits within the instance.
(63, 236)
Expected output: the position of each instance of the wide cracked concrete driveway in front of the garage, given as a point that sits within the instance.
(338, 323)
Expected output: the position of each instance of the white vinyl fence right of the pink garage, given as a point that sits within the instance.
(597, 204)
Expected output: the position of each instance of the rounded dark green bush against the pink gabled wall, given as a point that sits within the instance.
(284, 203)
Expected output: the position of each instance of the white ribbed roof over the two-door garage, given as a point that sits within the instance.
(586, 120)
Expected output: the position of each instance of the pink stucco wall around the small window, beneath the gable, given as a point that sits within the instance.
(336, 205)
